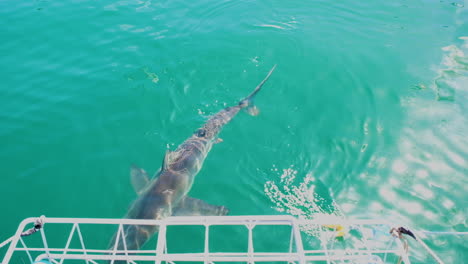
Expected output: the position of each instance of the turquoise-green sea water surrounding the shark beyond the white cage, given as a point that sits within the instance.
(367, 107)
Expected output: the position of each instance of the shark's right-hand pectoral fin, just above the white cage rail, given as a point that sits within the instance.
(196, 207)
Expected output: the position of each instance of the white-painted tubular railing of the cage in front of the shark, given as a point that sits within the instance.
(364, 241)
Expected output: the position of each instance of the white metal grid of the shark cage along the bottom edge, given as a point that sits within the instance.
(366, 248)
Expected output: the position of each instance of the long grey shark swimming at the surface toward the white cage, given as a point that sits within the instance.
(166, 194)
